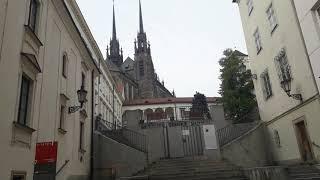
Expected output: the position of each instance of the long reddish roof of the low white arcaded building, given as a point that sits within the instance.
(168, 101)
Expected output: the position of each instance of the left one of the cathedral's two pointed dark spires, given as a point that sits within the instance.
(114, 53)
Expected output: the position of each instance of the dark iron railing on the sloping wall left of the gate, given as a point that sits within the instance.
(122, 135)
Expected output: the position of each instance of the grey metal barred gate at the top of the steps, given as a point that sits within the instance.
(182, 140)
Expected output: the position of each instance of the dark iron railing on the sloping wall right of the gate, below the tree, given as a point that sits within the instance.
(233, 131)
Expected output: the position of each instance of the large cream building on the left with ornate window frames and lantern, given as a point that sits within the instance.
(47, 54)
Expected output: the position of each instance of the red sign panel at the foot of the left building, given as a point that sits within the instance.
(46, 152)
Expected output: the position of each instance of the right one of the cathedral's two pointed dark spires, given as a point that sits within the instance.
(141, 43)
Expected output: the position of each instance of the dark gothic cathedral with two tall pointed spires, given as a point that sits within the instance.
(136, 78)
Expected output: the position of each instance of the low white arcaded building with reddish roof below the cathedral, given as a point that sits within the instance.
(175, 109)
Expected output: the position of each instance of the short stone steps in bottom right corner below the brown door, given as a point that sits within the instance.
(304, 172)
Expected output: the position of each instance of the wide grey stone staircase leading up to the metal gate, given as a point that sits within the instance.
(191, 169)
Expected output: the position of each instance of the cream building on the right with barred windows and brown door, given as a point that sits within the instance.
(287, 95)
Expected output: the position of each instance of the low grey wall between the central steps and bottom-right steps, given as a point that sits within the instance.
(267, 173)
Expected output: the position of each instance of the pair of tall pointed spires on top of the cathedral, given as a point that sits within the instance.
(115, 53)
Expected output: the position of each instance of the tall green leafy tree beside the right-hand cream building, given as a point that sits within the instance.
(236, 87)
